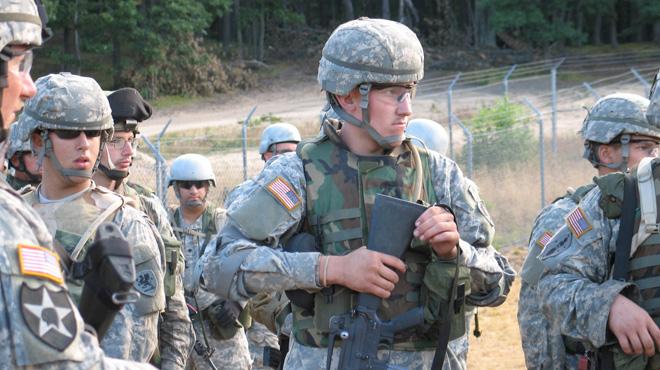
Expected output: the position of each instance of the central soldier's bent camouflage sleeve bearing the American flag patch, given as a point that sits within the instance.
(248, 261)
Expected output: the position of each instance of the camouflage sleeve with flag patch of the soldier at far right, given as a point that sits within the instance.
(576, 294)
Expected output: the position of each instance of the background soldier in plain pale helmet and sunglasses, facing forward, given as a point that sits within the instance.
(219, 324)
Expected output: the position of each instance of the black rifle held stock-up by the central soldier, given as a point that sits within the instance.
(362, 331)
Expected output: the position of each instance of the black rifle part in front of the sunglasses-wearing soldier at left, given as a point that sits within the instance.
(109, 274)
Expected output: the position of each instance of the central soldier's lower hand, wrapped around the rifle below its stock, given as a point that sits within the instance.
(365, 271)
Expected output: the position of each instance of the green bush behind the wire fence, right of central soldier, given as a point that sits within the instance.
(502, 135)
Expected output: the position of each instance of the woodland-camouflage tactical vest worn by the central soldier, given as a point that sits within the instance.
(341, 189)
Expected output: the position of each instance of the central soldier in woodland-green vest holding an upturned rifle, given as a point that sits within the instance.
(369, 70)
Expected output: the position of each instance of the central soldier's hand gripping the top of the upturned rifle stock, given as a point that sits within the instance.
(437, 226)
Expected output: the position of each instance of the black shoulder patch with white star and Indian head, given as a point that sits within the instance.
(49, 315)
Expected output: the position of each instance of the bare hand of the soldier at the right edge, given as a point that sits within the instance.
(635, 330)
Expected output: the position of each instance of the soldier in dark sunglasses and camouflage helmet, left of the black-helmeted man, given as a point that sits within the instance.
(69, 122)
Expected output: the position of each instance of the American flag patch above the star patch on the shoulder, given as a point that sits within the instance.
(39, 261)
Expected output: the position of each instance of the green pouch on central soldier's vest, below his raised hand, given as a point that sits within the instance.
(438, 284)
